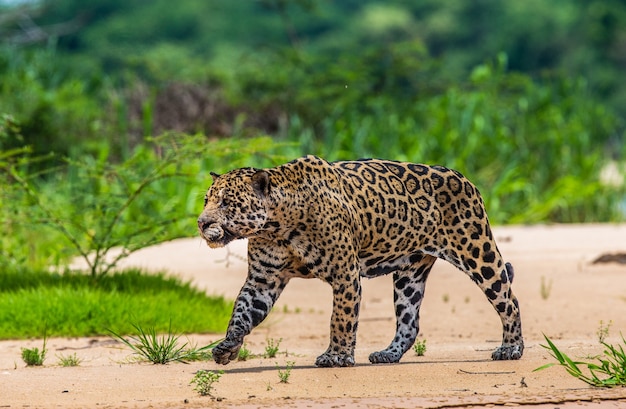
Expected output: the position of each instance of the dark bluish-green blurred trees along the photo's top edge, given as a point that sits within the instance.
(566, 36)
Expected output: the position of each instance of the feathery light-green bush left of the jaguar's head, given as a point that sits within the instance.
(102, 211)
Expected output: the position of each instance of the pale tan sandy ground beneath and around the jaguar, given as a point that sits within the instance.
(458, 323)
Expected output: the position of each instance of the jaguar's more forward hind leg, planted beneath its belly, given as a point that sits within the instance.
(408, 292)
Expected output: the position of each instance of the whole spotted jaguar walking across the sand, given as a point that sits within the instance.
(342, 221)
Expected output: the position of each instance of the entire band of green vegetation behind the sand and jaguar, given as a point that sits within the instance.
(526, 98)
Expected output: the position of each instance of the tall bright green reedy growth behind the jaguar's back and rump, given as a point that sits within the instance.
(534, 149)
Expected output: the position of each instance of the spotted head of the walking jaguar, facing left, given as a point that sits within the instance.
(234, 206)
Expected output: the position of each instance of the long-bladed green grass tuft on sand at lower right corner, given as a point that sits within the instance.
(609, 371)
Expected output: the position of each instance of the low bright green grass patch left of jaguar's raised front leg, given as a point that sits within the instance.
(76, 305)
